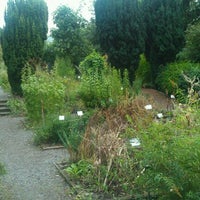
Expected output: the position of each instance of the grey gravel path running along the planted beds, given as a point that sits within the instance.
(31, 174)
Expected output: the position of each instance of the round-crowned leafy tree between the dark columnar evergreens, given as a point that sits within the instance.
(69, 36)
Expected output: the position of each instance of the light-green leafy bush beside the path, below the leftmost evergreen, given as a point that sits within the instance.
(44, 94)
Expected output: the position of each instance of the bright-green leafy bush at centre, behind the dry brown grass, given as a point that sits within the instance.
(101, 85)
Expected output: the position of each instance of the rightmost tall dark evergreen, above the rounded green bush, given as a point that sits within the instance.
(165, 31)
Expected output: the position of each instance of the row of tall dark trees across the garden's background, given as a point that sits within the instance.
(122, 29)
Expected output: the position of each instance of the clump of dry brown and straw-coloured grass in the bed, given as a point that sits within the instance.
(103, 137)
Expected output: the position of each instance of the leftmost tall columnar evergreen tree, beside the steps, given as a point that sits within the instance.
(23, 36)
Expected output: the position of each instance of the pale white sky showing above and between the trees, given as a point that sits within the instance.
(85, 6)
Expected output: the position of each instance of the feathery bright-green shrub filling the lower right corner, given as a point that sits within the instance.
(170, 157)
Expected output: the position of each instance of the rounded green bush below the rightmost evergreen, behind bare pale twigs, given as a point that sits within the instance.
(171, 78)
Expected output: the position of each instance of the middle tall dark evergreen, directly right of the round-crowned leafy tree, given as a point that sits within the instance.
(121, 32)
